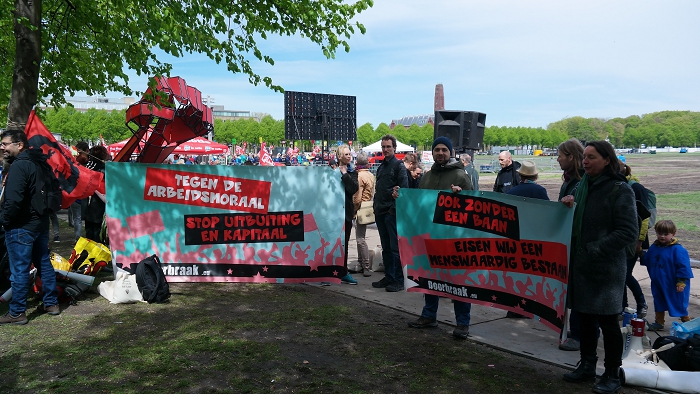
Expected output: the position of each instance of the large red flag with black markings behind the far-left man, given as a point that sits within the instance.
(76, 181)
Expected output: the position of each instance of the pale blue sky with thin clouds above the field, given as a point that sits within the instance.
(523, 63)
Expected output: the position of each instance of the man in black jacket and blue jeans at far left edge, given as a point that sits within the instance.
(27, 231)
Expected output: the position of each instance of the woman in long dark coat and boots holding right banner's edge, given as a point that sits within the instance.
(605, 223)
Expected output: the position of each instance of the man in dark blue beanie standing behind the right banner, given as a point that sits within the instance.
(446, 174)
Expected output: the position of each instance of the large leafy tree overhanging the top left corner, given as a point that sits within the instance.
(86, 45)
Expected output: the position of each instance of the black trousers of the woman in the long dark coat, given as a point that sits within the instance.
(612, 338)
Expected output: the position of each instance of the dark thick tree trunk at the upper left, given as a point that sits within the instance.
(28, 51)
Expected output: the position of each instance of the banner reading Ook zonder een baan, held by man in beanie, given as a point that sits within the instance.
(487, 248)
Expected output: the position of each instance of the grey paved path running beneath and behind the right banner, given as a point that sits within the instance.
(525, 337)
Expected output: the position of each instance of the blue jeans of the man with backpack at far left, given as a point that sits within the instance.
(23, 248)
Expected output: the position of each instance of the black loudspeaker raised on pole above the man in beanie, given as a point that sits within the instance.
(465, 129)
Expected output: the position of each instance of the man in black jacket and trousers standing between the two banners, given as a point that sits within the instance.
(391, 175)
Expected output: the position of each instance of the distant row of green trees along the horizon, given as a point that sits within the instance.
(667, 128)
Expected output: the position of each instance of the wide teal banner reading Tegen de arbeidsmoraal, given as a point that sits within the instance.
(228, 224)
